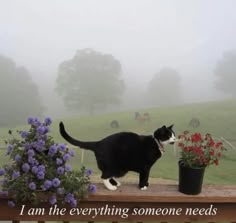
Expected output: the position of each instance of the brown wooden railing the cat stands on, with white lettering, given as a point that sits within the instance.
(160, 203)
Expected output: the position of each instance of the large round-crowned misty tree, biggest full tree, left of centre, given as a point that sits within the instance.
(90, 80)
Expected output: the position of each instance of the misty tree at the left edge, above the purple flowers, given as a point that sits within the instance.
(19, 97)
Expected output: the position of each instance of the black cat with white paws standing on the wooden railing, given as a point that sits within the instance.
(126, 151)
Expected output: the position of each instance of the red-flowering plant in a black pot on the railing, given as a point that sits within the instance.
(196, 153)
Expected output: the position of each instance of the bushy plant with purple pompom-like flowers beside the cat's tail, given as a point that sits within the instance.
(40, 164)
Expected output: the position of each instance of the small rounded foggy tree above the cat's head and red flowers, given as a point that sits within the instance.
(165, 87)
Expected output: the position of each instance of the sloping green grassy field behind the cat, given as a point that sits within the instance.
(217, 118)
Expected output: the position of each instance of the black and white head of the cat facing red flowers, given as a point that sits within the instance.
(165, 135)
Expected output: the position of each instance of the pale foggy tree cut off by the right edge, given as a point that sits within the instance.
(225, 72)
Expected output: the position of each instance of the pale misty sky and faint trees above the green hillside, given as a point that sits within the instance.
(101, 56)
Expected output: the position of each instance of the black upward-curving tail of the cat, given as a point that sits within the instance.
(84, 145)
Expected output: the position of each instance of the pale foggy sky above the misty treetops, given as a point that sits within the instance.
(144, 35)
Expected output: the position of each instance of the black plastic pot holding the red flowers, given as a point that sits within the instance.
(190, 179)
